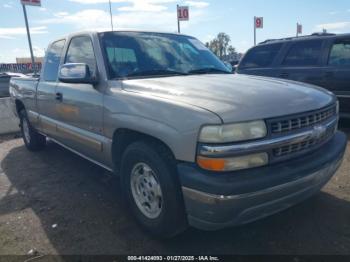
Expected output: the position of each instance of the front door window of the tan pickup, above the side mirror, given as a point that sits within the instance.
(80, 50)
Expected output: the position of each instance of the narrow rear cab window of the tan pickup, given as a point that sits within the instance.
(52, 63)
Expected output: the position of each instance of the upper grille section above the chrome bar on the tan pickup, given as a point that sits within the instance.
(301, 121)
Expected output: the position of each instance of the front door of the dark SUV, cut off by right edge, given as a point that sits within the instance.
(337, 73)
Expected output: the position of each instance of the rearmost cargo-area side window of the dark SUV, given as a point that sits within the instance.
(261, 56)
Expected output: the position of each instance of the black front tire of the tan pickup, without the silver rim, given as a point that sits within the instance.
(172, 219)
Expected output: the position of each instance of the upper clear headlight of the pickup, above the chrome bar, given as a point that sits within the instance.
(233, 132)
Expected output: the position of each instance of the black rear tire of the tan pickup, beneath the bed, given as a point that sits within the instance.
(34, 141)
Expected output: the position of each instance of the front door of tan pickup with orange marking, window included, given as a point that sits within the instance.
(79, 109)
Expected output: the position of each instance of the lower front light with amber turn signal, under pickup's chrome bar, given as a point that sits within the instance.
(233, 163)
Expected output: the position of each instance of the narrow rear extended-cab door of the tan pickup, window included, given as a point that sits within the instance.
(46, 90)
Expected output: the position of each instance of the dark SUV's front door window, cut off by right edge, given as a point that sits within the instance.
(340, 54)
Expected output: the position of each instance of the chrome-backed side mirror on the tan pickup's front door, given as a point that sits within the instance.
(76, 73)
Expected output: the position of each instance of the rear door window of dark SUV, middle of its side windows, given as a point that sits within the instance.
(305, 53)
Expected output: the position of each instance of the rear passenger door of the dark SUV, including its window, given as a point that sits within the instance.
(303, 62)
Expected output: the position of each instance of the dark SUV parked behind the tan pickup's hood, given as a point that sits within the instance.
(319, 59)
